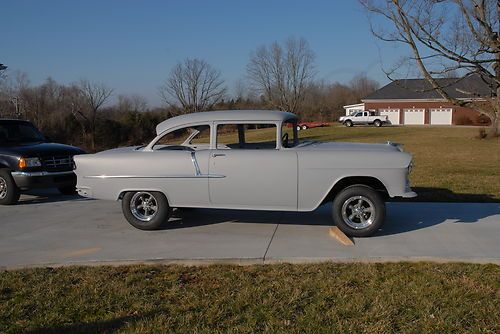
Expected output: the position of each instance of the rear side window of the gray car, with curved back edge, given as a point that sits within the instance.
(192, 137)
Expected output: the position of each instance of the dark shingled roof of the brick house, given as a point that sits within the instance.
(421, 89)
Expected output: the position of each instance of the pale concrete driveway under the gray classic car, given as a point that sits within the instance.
(48, 229)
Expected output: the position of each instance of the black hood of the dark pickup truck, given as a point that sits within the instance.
(40, 149)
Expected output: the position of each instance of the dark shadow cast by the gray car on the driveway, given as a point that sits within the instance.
(400, 217)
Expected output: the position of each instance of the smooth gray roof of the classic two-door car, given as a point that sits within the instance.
(225, 115)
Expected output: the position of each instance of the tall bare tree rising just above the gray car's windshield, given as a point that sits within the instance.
(282, 73)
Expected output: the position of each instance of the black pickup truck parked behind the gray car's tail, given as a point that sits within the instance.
(28, 160)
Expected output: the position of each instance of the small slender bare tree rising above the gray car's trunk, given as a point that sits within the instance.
(94, 96)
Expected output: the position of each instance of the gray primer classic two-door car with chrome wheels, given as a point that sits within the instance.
(284, 174)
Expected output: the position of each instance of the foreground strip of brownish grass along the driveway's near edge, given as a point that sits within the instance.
(371, 298)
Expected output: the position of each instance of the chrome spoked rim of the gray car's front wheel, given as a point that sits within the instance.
(358, 212)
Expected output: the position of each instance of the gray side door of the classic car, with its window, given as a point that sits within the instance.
(253, 174)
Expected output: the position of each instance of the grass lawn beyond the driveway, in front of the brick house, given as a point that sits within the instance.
(450, 163)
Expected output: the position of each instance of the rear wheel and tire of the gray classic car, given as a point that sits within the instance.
(145, 210)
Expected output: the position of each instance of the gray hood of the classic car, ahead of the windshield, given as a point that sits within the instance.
(344, 146)
